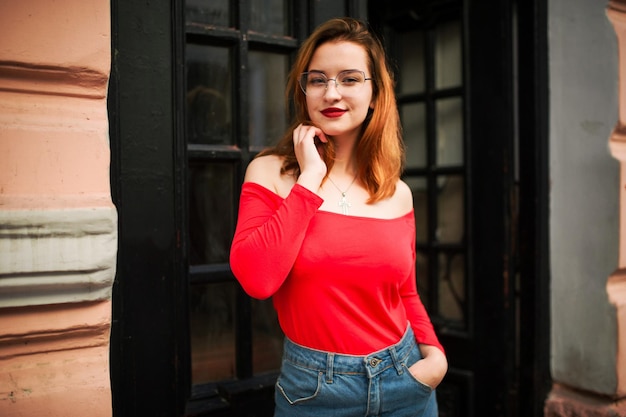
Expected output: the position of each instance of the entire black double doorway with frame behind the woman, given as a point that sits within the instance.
(186, 81)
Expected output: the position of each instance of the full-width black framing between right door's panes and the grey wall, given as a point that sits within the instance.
(507, 76)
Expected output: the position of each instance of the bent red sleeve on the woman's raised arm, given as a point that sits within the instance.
(268, 237)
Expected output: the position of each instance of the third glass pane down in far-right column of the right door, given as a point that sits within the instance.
(450, 224)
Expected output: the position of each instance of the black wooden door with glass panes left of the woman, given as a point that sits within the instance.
(196, 90)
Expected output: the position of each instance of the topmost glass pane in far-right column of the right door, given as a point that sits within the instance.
(448, 56)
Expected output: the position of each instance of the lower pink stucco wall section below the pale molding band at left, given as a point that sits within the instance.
(54, 360)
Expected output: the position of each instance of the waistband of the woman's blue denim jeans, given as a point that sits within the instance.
(335, 363)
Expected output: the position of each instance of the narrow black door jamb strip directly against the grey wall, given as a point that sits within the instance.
(533, 236)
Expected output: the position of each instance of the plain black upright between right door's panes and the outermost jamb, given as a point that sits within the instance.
(491, 133)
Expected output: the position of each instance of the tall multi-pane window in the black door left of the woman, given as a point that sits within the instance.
(236, 63)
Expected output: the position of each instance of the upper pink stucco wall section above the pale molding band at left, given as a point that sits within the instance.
(54, 68)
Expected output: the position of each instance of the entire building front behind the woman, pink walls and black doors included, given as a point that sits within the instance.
(125, 129)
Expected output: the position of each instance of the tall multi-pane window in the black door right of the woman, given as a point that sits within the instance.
(430, 98)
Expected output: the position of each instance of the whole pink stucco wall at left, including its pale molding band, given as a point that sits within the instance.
(54, 165)
